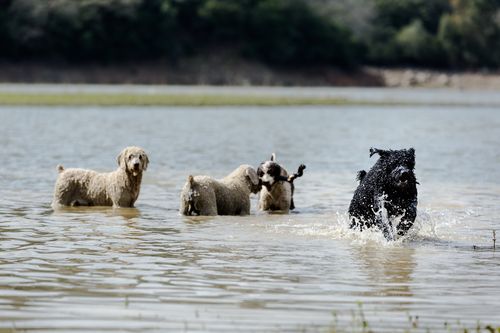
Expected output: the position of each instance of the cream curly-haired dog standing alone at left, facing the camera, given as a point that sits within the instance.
(120, 188)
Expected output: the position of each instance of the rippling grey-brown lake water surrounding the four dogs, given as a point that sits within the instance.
(148, 269)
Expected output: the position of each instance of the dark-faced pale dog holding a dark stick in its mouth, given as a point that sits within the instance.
(277, 186)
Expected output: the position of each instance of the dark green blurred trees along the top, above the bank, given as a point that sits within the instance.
(453, 34)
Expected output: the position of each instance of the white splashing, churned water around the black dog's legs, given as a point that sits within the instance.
(431, 227)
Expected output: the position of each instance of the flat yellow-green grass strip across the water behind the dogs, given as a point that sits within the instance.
(117, 99)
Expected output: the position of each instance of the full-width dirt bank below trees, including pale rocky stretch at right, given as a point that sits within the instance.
(215, 69)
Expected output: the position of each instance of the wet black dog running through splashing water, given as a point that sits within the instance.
(390, 185)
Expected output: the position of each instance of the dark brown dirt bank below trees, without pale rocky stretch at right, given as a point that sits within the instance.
(212, 69)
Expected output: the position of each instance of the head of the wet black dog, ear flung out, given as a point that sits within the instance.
(399, 165)
